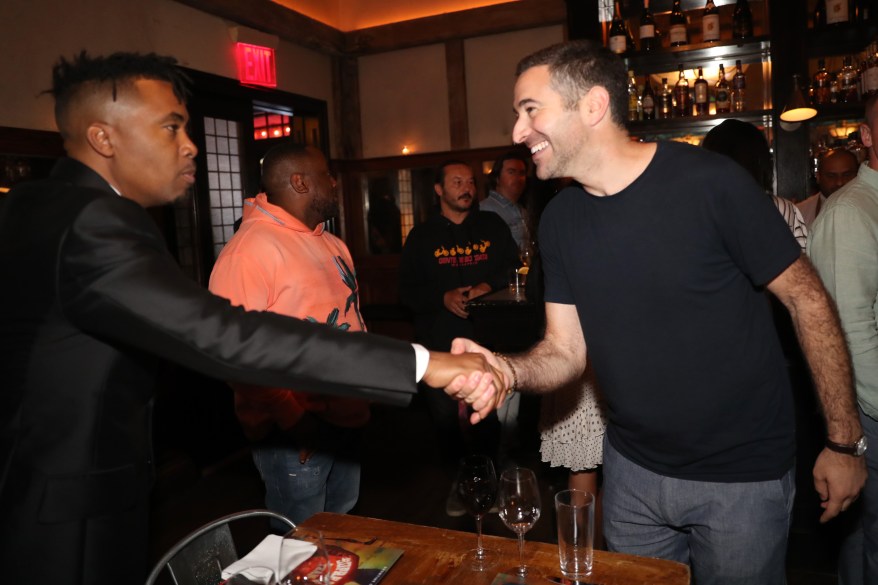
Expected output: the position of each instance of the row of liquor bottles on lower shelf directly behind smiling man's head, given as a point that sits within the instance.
(701, 98)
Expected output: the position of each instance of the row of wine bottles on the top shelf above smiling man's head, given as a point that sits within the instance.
(621, 41)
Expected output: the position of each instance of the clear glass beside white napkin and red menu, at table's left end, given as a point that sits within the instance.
(306, 566)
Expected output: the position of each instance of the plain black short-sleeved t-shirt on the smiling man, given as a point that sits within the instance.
(666, 278)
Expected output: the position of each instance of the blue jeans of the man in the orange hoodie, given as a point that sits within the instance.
(328, 482)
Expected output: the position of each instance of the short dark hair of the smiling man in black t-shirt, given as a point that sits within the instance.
(577, 66)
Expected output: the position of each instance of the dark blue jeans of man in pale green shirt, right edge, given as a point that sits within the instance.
(858, 558)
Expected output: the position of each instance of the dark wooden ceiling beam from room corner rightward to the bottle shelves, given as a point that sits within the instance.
(500, 18)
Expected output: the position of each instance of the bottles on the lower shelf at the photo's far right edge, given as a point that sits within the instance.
(850, 84)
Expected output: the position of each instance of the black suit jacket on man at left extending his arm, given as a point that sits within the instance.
(91, 301)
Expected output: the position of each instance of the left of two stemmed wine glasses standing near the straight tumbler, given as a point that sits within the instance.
(477, 488)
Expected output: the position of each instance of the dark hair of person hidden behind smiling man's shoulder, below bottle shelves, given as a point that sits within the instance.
(746, 145)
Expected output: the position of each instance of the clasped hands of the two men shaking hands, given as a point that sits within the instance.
(470, 373)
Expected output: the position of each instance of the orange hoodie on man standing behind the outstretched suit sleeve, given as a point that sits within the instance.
(276, 263)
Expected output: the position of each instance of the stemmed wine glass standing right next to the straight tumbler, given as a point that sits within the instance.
(519, 505)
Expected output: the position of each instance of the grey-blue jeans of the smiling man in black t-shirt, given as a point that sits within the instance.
(729, 533)
